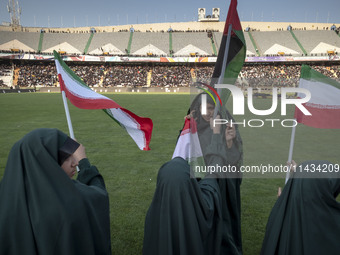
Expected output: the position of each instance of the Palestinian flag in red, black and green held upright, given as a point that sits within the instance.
(236, 52)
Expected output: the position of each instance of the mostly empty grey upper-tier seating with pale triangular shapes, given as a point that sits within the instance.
(269, 43)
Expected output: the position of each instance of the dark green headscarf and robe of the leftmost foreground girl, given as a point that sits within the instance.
(43, 211)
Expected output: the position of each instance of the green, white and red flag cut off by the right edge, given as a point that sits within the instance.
(324, 104)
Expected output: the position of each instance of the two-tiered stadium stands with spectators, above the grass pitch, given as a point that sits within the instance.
(164, 55)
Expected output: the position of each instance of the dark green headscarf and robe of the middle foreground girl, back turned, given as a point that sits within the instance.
(182, 216)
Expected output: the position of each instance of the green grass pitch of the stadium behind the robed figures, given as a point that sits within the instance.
(130, 174)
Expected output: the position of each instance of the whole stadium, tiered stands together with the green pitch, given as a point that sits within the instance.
(149, 68)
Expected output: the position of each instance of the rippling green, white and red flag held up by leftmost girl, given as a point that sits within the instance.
(81, 96)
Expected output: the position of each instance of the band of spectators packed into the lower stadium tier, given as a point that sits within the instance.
(100, 75)
